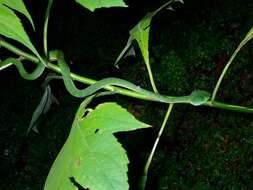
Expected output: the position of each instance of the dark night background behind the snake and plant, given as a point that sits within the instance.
(202, 148)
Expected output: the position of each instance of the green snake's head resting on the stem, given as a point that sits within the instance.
(199, 97)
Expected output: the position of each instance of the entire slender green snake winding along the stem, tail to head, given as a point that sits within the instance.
(196, 98)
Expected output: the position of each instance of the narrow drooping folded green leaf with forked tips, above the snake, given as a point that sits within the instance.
(140, 33)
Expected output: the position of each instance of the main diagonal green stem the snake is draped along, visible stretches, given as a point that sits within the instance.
(119, 90)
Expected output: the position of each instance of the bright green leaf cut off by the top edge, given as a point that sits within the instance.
(96, 4)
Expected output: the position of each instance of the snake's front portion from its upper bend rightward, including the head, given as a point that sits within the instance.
(197, 97)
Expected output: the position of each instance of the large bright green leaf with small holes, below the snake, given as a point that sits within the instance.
(91, 154)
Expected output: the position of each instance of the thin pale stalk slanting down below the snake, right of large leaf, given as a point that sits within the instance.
(145, 173)
